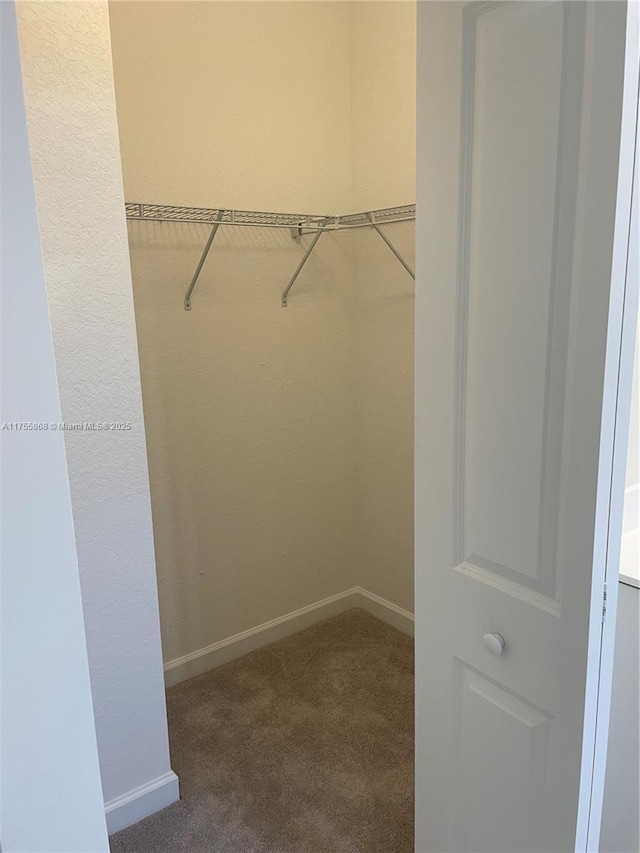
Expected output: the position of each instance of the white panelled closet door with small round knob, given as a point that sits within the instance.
(521, 220)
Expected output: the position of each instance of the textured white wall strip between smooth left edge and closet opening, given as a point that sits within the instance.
(68, 83)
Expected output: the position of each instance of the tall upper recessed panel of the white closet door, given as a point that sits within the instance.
(510, 206)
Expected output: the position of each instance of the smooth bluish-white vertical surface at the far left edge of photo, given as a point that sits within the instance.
(51, 795)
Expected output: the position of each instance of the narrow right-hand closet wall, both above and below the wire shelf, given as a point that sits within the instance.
(383, 76)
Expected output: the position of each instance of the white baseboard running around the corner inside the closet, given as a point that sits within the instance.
(234, 647)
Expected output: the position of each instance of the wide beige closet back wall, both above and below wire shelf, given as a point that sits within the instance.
(249, 407)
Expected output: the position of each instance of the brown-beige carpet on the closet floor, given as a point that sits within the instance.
(305, 746)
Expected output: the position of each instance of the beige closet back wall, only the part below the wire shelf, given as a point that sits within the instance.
(250, 422)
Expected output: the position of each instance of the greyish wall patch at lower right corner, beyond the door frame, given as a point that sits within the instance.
(620, 832)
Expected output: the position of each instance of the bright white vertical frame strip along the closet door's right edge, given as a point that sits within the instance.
(616, 409)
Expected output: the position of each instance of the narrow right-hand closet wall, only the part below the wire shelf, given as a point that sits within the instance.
(384, 306)
